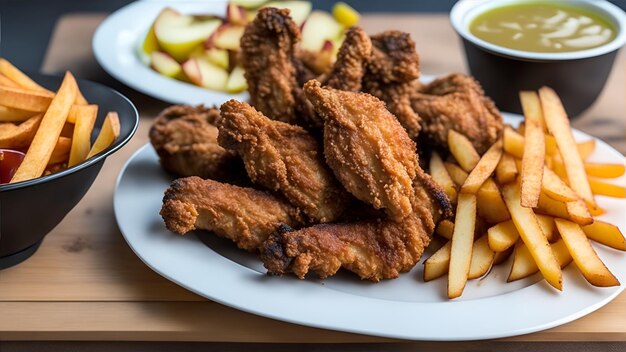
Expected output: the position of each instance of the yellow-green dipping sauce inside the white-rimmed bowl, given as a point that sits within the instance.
(543, 27)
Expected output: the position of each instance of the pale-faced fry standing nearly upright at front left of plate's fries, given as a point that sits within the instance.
(462, 244)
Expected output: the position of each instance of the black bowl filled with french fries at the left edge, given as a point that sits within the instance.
(43, 190)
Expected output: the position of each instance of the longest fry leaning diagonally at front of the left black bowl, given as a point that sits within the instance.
(45, 139)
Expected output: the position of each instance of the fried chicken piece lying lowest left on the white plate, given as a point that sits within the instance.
(244, 215)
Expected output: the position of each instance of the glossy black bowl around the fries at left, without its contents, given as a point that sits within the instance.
(31, 209)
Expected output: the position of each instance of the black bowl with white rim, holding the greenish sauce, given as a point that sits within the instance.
(578, 77)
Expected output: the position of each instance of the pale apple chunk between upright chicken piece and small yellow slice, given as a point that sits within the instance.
(319, 28)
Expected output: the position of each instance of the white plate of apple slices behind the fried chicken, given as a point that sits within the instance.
(196, 40)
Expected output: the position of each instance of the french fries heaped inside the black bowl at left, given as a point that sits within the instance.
(53, 128)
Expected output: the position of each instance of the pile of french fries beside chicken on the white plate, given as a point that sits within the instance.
(531, 195)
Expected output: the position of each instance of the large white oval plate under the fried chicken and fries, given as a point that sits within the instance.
(404, 308)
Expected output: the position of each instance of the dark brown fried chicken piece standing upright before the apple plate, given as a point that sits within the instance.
(267, 54)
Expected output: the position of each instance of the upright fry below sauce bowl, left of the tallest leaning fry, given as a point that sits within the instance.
(533, 159)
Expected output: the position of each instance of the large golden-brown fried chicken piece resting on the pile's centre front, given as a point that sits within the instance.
(367, 149)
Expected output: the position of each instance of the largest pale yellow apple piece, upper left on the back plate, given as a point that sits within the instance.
(179, 34)
